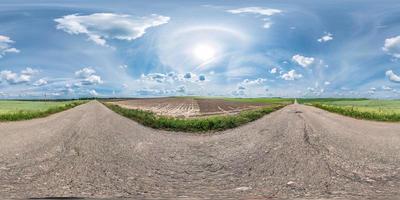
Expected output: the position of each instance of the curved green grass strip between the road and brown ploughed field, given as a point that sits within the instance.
(206, 124)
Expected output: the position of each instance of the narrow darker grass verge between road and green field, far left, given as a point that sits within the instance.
(25, 115)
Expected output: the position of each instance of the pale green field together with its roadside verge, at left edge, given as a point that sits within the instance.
(24, 110)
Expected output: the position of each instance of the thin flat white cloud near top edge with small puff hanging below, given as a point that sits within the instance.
(258, 11)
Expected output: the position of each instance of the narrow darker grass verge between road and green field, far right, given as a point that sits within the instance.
(355, 113)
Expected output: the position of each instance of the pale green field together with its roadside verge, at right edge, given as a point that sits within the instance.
(377, 110)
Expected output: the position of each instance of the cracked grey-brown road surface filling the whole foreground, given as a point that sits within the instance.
(297, 152)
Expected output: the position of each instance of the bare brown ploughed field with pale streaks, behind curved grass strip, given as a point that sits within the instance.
(188, 107)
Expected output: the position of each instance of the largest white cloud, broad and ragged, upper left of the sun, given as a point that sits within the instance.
(102, 26)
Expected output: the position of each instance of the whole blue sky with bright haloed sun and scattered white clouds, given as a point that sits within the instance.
(233, 48)
